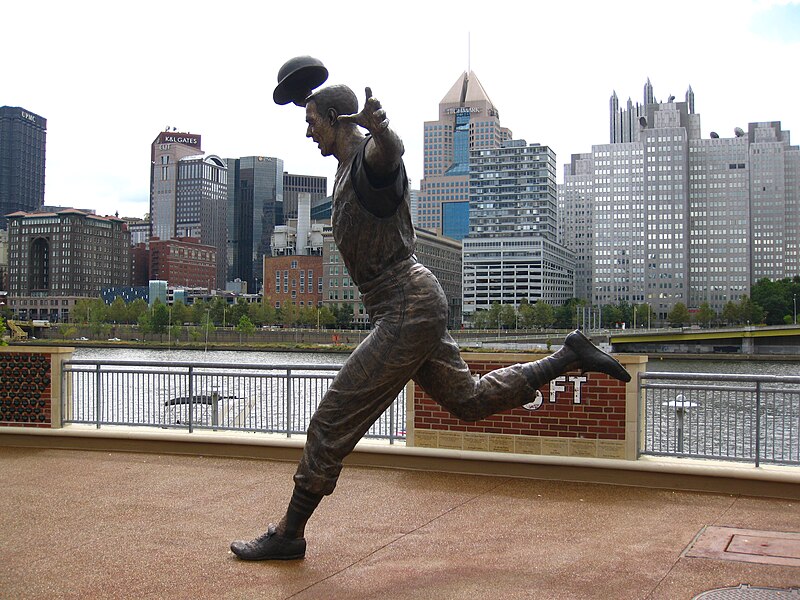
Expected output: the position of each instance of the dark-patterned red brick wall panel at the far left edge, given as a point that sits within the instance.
(25, 389)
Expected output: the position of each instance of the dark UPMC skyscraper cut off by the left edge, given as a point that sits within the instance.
(22, 160)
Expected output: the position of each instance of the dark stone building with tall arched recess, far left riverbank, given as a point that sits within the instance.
(57, 258)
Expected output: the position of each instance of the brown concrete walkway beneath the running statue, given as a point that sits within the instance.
(82, 524)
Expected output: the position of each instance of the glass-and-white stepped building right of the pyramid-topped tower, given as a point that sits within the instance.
(512, 252)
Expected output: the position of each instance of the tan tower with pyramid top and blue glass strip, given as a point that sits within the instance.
(468, 120)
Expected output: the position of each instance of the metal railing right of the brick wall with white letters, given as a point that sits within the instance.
(753, 418)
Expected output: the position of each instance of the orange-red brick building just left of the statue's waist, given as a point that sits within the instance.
(293, 280)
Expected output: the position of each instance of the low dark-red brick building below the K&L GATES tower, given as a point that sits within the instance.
(183, 262)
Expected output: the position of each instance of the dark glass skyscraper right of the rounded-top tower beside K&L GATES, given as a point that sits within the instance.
(255, 199)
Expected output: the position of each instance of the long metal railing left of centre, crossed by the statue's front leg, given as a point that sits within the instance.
(206, 396)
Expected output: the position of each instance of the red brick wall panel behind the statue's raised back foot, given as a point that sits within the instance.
(601, 414)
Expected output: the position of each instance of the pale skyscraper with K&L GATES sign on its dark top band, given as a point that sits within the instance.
(165, 152)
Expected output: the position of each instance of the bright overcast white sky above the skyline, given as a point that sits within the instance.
(108, 76)
